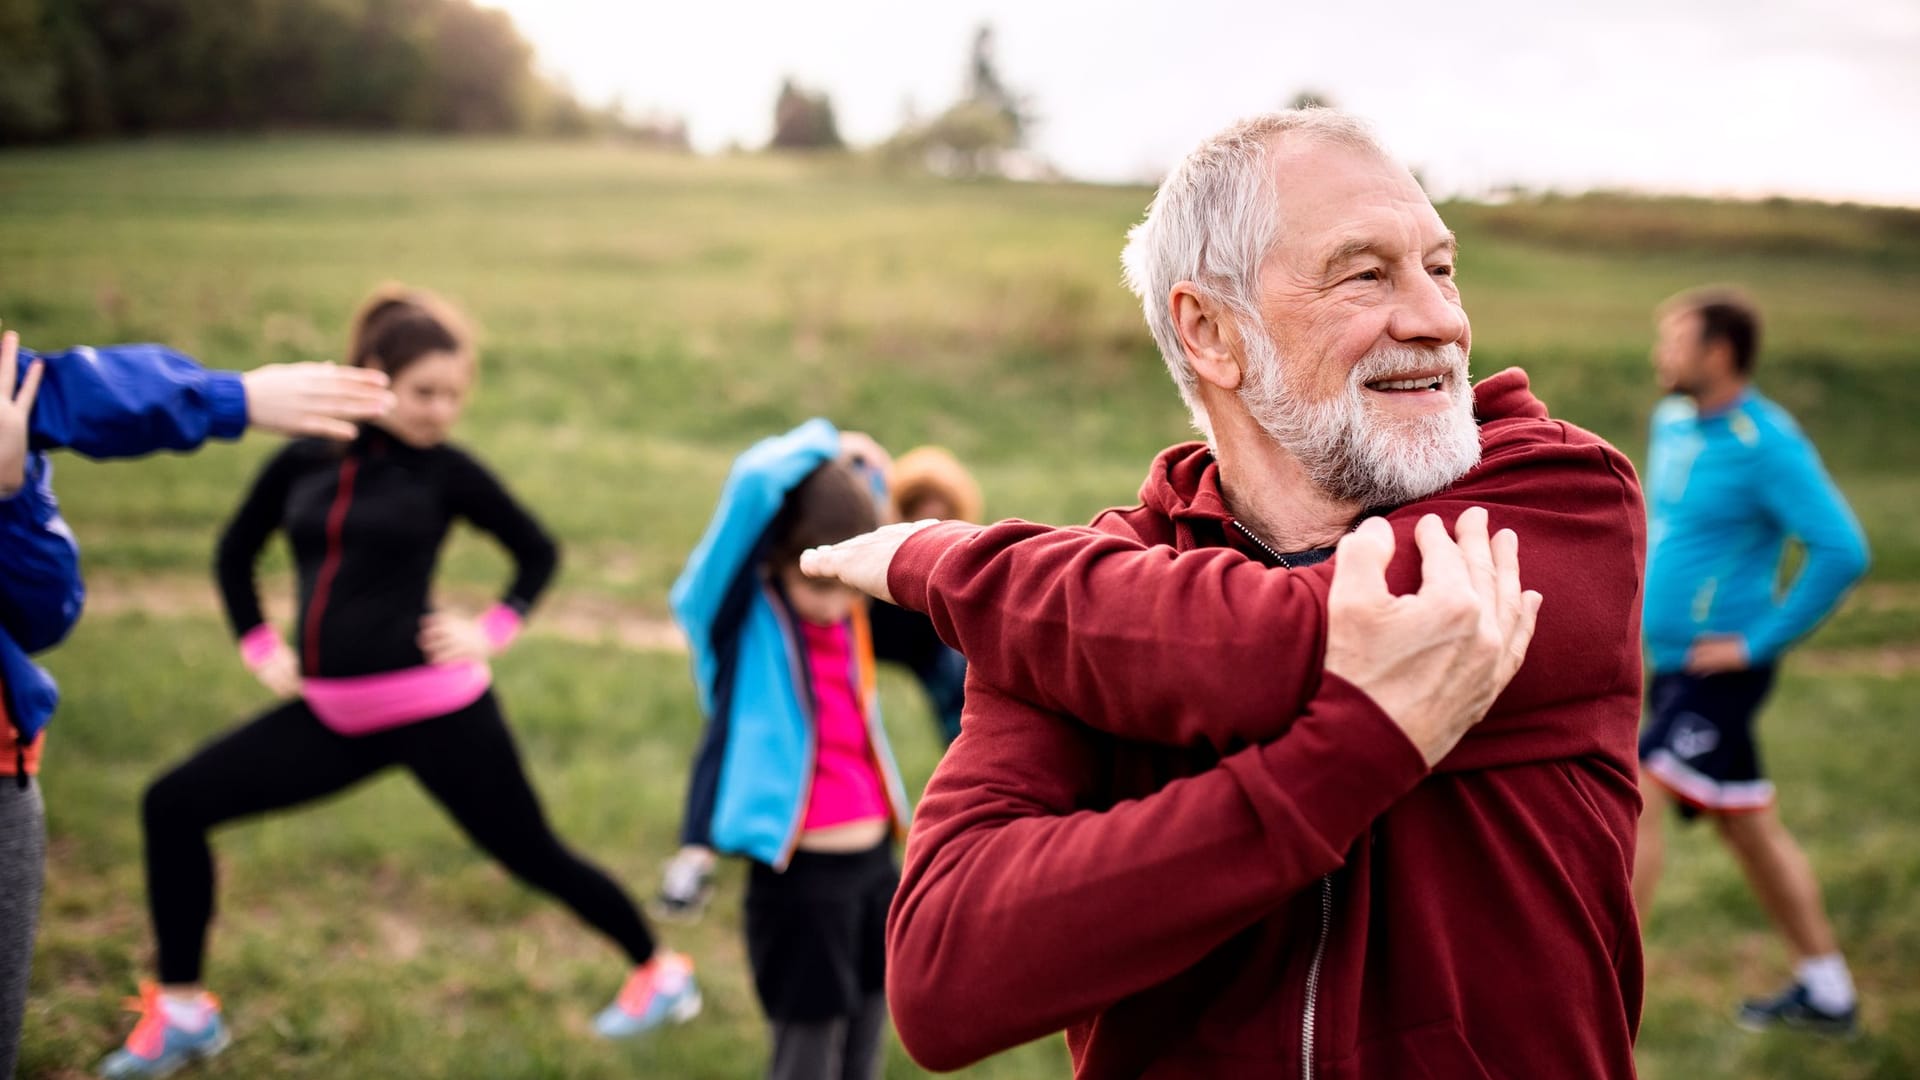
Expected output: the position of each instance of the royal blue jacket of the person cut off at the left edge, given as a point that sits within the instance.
(103, 403)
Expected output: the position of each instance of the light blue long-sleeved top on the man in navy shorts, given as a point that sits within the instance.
(1725, 493)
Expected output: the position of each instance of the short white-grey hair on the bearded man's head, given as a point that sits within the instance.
(1212, 224)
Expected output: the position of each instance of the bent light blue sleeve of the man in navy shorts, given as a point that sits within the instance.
(1806, 504)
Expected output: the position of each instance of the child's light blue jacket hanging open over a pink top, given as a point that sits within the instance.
(756, 764)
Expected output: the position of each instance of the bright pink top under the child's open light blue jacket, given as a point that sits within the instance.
(848, 785)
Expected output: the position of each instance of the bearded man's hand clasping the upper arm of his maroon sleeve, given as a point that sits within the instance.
(1433, 660)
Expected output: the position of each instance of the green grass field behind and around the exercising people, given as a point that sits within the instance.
(646, 318)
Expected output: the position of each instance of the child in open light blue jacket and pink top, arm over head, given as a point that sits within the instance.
(794, 768)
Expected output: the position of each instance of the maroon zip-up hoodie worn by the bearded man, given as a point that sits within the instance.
(1166, 831)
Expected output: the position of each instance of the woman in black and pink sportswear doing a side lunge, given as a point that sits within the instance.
(375, 679)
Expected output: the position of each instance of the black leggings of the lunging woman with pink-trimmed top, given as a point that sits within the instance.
(287, 758)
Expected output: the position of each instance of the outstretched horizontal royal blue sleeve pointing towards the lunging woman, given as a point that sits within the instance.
(132, 401)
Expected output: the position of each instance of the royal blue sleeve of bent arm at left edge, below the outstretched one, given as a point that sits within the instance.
(41, 587)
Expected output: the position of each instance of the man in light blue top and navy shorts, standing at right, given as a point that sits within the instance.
(1729, 481)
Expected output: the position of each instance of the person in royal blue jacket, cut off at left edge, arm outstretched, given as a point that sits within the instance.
(108, 403)
